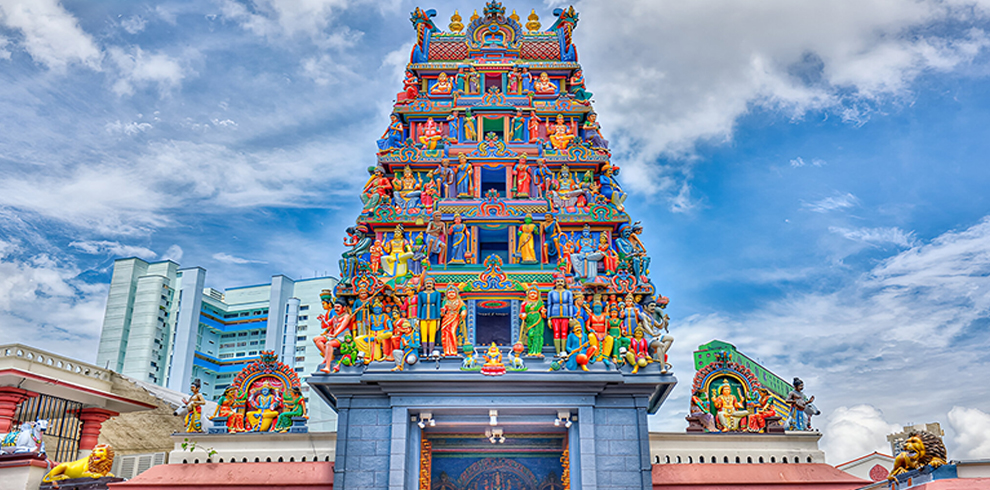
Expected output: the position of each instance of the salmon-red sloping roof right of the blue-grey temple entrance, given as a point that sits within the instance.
(816, 476)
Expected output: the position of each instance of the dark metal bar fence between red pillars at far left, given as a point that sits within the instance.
(62, 436)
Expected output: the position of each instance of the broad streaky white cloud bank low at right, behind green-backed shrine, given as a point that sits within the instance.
(925, 306)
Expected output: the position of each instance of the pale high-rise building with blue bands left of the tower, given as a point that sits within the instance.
(163, 326)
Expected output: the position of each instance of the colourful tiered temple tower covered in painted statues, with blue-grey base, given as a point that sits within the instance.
(493, 218)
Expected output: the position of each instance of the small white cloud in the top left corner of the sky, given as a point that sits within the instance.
(51, 35)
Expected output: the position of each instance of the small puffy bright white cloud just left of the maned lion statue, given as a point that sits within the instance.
(852, 432)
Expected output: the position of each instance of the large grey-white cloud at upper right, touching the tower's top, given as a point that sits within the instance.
(668, 75)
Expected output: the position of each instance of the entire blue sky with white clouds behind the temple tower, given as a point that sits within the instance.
(812, 174)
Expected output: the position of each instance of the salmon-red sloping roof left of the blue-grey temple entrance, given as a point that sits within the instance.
(242, 476)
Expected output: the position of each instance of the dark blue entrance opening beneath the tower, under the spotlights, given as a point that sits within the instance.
(521, 462)
